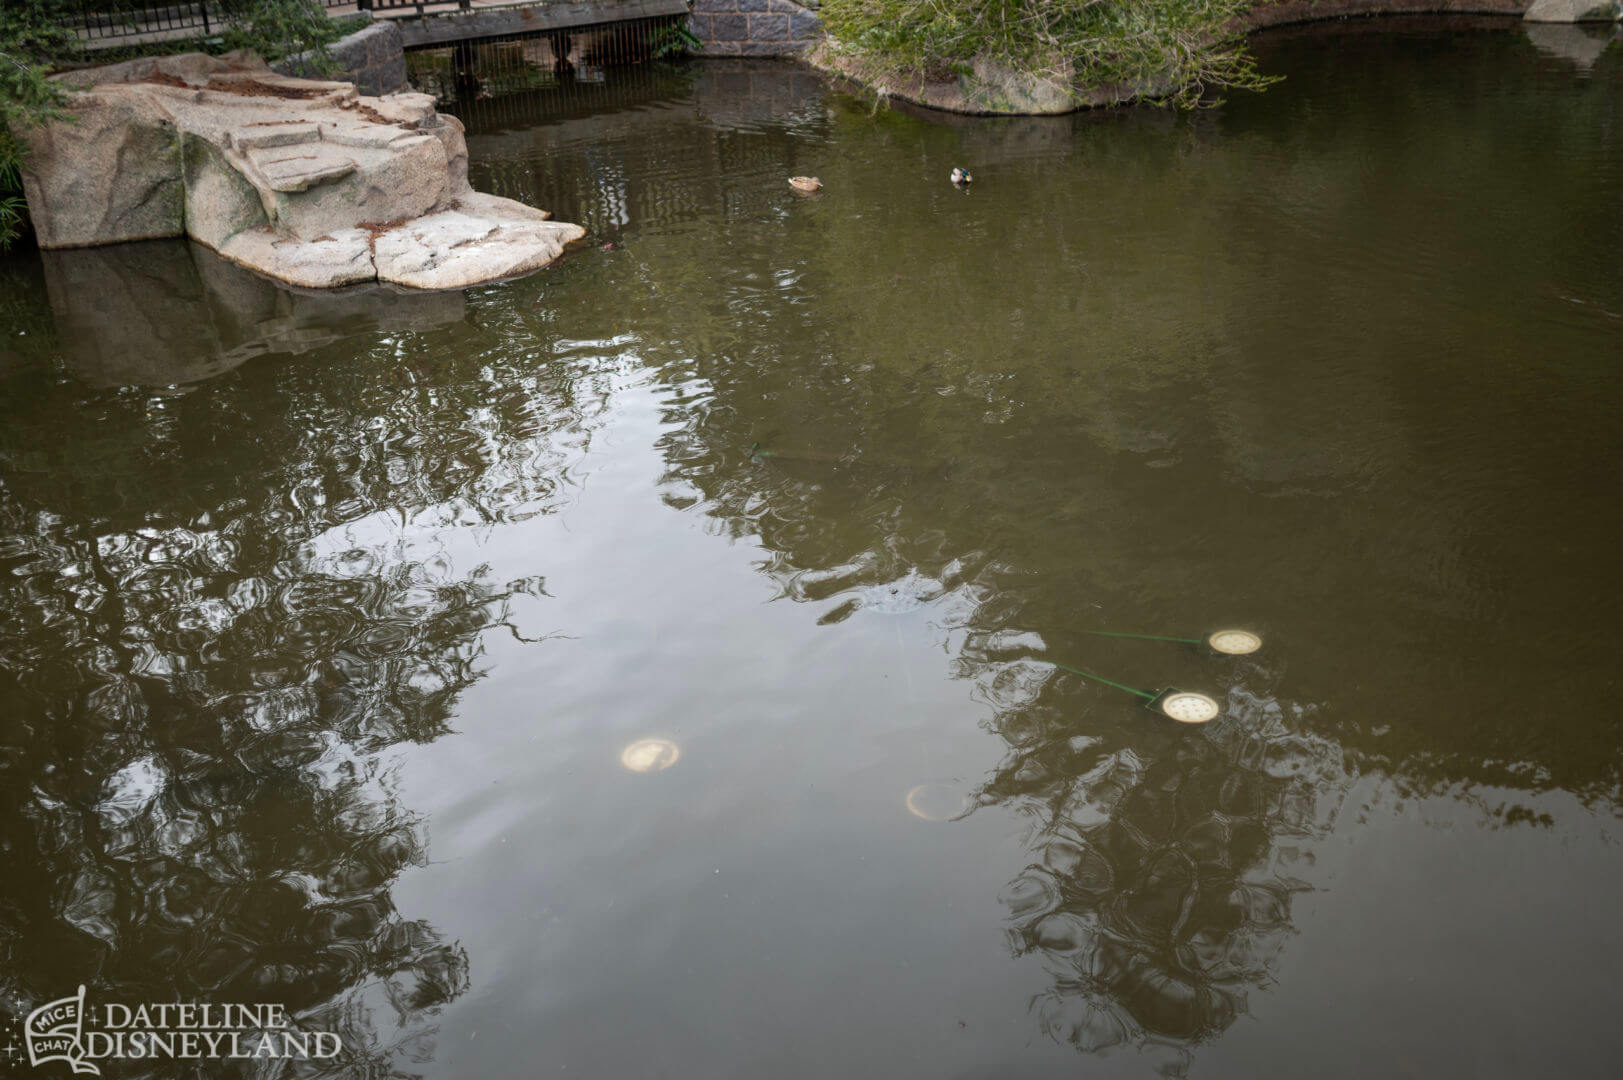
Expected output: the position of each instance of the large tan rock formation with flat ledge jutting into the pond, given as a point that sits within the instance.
(303, 181)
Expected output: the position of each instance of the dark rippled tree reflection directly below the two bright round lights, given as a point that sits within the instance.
(1161, 892)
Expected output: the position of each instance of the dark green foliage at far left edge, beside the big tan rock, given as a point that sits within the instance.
(30, 33)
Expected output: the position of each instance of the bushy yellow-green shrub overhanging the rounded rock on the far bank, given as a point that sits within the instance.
(1169, 50)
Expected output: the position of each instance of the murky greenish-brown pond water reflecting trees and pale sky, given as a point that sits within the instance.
(650, 668)
